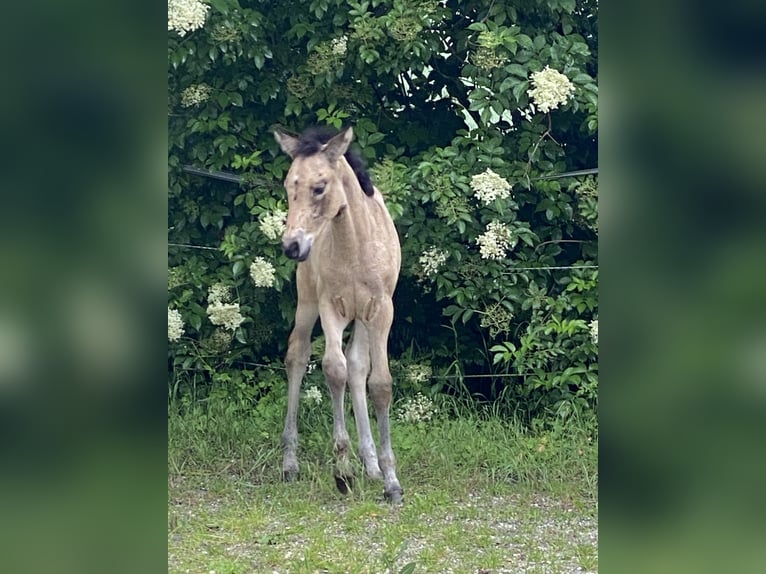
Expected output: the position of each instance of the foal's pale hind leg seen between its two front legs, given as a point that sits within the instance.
(358, 363)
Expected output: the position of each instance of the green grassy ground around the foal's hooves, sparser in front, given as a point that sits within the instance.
(482, 495)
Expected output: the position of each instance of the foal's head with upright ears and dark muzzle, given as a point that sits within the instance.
(314, 188)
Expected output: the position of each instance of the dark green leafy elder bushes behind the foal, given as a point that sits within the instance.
(437, 92)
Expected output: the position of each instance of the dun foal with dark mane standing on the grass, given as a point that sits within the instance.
(340, 231)
